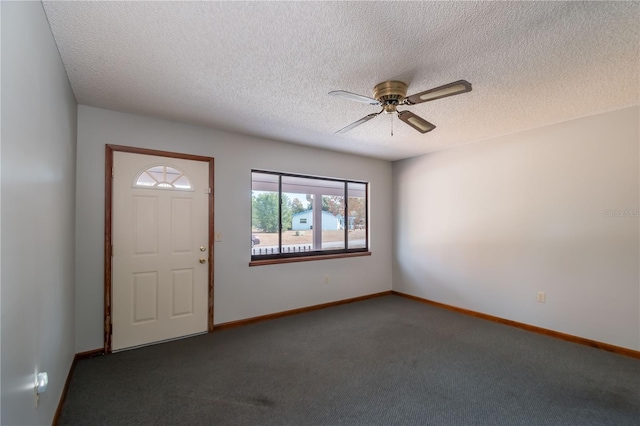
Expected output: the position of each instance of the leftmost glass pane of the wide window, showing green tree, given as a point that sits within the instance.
(264, 214)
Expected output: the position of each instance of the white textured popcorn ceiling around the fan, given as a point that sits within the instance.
(265, 68)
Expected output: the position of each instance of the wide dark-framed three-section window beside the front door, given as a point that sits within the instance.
(296, 216)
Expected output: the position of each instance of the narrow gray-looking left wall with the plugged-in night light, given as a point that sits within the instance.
(38, 214)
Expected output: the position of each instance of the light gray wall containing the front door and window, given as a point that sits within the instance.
(240, 291)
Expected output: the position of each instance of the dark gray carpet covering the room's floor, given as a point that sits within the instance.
(384, 361)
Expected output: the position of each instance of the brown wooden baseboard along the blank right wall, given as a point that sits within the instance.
(551, 333)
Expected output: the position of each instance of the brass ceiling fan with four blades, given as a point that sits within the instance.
(390, 94)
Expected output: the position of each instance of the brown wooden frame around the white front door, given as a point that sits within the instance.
(108, 247)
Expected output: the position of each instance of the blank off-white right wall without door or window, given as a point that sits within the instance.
(486, 226)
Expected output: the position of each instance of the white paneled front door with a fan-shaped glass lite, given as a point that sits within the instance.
(160, 249)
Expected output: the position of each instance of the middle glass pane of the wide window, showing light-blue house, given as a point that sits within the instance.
(297, 214)
